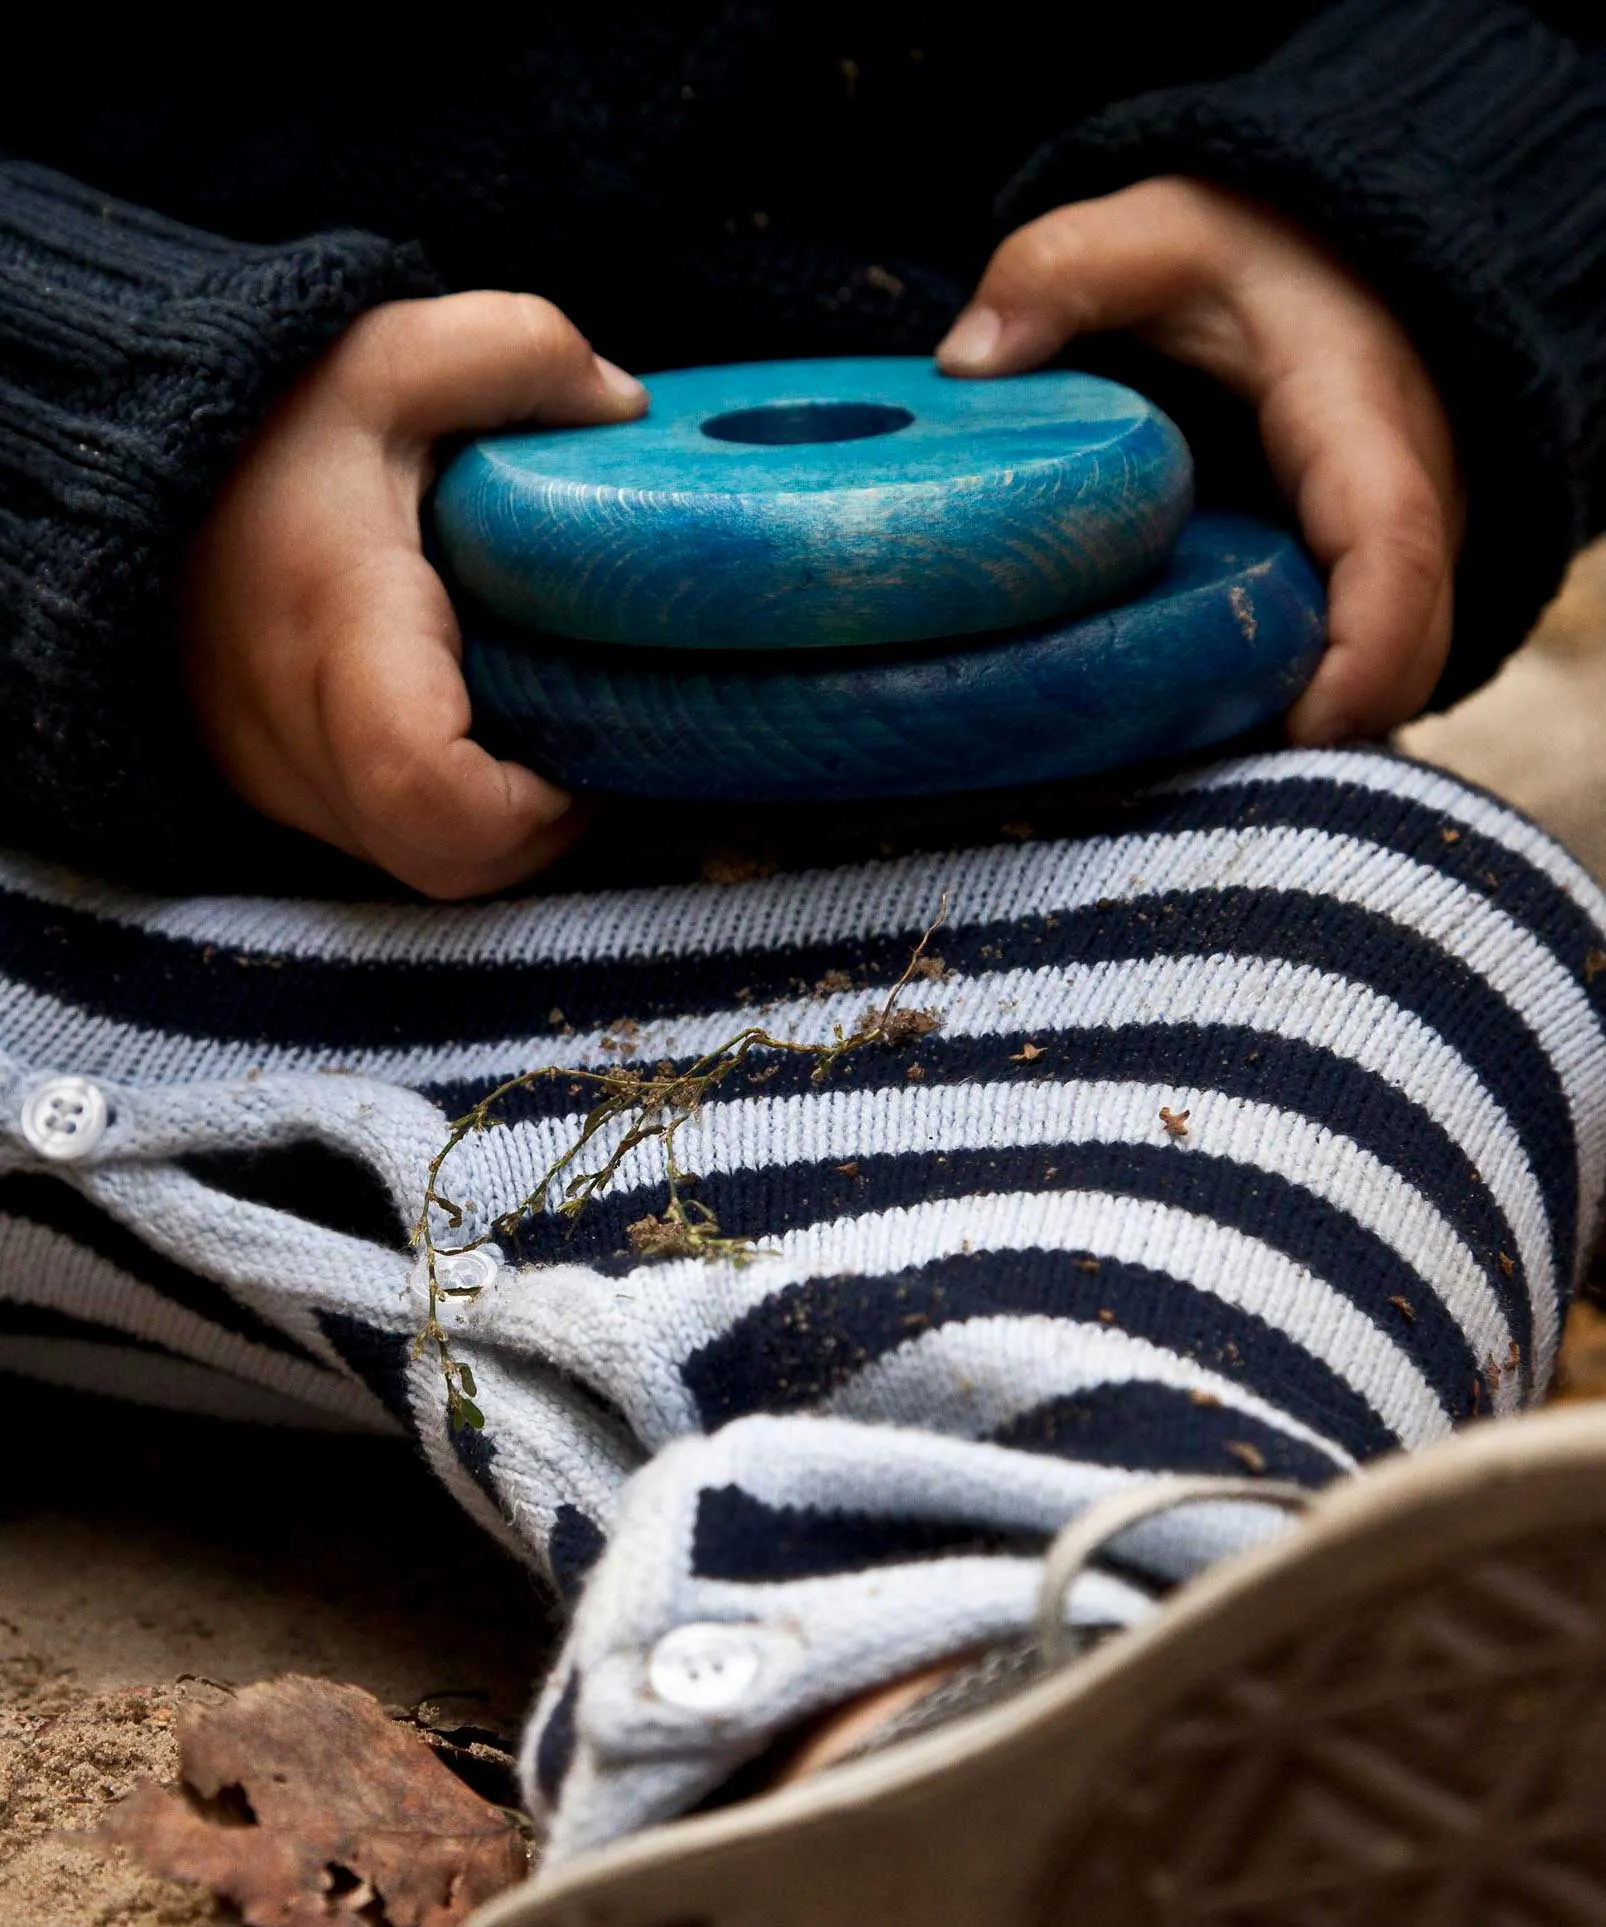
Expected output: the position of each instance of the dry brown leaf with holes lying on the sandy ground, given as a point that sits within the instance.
(306, 1805)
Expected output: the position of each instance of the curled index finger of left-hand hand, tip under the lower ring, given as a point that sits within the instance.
(404, 778)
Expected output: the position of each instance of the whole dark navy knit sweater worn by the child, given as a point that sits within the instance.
(722, 182)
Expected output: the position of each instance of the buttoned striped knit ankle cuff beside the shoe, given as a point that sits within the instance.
(728, 1564)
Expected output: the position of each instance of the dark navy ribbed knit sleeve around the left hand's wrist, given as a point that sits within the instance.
(136, 359)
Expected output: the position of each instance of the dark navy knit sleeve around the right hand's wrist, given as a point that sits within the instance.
(1455, 151)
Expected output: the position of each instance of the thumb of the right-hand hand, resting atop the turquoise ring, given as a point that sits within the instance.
(1111, 263)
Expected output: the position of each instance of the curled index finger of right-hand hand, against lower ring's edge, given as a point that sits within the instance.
(1374, 514)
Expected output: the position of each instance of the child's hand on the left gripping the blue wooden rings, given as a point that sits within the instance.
(321, 647)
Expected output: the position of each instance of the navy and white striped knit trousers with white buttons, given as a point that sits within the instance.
(994, 1280)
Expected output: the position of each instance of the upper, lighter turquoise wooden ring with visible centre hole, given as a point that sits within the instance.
(820, 504)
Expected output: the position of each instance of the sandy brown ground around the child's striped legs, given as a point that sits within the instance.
(149, 1562)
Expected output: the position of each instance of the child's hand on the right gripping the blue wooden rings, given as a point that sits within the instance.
(1351, 419)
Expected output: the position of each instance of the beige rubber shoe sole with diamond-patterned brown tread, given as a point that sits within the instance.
(1395, 1716)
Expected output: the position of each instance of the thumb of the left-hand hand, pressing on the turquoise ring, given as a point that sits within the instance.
(473, 363)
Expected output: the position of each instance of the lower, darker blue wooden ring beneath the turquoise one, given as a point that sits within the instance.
(1227, 639)
